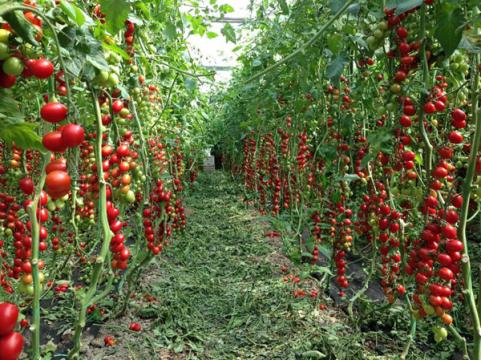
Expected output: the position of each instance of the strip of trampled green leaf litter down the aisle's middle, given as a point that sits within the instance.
(222, 291)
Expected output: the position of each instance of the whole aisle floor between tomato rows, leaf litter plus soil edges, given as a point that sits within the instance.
(218, 293)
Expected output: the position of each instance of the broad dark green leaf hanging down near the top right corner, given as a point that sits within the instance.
(449, 26)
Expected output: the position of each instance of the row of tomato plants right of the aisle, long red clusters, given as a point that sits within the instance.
(391, 160)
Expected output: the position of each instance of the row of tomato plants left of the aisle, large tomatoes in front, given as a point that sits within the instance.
(87, 207)
